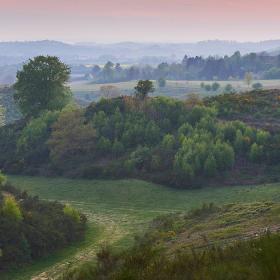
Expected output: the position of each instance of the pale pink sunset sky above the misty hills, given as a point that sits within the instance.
(139, 20)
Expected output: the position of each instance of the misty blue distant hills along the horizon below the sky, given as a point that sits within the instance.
(126, 52)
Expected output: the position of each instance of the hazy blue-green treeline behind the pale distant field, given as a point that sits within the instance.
(262, 66)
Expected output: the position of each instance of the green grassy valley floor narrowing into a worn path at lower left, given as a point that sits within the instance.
(117, 210)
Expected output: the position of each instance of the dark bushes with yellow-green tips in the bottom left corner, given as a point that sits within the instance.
(32, 228)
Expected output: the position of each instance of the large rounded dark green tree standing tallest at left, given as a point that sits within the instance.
(41, 85)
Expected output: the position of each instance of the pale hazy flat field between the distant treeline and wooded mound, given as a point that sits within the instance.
(88, 91)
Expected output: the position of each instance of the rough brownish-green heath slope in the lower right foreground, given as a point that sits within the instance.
(209, 242)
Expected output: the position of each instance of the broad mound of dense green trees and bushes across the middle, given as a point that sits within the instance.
(160, 139)
